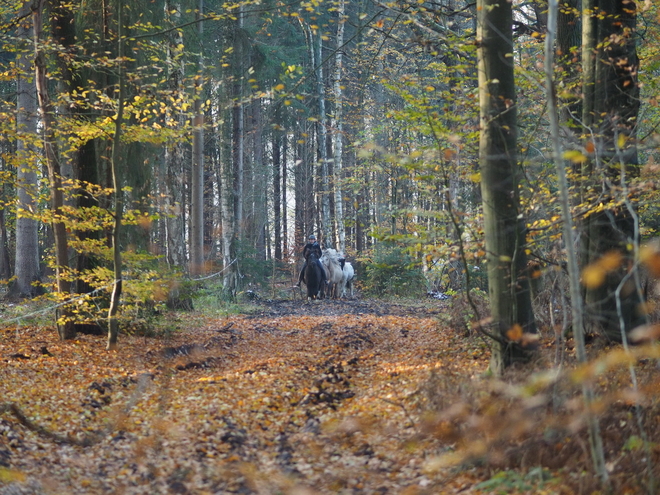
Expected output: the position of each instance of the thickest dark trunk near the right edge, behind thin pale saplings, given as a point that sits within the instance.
(611, 108)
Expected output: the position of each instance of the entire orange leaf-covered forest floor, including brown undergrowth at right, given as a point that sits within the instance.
(357, 396)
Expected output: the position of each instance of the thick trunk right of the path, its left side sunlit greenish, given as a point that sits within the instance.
(504, 227)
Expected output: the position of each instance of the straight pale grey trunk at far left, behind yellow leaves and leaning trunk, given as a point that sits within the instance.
(26, 263)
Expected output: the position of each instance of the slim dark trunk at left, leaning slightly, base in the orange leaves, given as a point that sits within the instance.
(65, 325)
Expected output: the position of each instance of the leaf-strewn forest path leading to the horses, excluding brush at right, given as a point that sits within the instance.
(327, 397)
